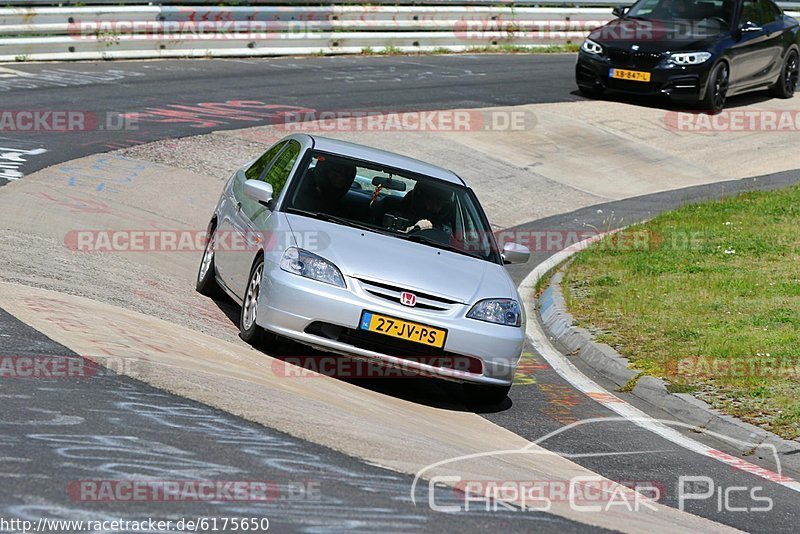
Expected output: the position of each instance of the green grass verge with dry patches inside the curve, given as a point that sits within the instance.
(709, 300)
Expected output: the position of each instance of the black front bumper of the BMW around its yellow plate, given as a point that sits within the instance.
(679, 83)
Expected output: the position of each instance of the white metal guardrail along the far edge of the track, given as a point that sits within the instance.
(159, 31)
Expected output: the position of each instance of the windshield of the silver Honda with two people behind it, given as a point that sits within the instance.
(393, 202)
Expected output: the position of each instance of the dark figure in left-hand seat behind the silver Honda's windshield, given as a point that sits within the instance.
(326, 185)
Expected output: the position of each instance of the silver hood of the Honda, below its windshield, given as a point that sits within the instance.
(413, 266)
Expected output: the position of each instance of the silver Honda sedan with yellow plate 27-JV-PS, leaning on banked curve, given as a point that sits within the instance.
(371, 255)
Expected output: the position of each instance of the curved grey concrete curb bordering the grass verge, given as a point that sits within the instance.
(558, 325)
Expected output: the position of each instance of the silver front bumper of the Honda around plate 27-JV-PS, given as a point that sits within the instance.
(295, 307)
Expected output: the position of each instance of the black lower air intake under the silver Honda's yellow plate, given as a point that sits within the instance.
(398, 348)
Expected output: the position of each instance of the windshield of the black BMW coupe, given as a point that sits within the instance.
(694, 16)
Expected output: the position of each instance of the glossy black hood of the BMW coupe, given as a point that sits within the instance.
(653, 36)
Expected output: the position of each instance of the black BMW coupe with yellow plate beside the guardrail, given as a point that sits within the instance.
(694, 51)
